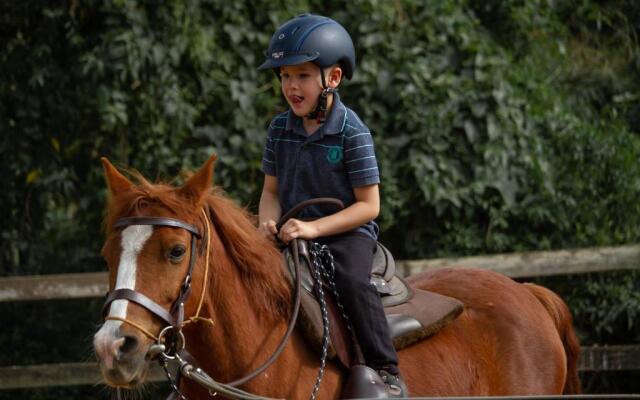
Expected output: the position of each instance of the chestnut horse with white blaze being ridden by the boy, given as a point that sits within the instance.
(511, 339)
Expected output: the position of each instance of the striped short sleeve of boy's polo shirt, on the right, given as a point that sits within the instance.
(360, 159)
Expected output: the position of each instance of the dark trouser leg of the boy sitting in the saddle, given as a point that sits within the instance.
(353, 257)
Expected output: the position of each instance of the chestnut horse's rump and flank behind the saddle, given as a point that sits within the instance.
(504, 343)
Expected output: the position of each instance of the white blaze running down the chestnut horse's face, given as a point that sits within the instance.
(133, 239)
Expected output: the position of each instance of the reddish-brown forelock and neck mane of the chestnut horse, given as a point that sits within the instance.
(256, 257)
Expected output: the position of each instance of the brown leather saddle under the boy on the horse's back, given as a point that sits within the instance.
(412, 314)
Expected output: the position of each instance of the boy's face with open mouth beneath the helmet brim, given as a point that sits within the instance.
(301, 86)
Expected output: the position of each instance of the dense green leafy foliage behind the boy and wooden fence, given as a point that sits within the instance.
(499, 125)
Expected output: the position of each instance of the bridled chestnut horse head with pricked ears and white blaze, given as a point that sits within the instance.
(154, 233)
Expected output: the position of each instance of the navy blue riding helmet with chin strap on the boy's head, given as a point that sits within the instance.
(314, 38)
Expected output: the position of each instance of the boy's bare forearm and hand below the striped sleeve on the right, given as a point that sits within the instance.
(365, 209)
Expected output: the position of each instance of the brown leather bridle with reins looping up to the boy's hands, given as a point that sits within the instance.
(170, 342)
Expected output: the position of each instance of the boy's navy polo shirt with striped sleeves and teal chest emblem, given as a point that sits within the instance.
(329, 163)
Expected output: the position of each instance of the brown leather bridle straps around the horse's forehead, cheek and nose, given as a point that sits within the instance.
(175, 316)
